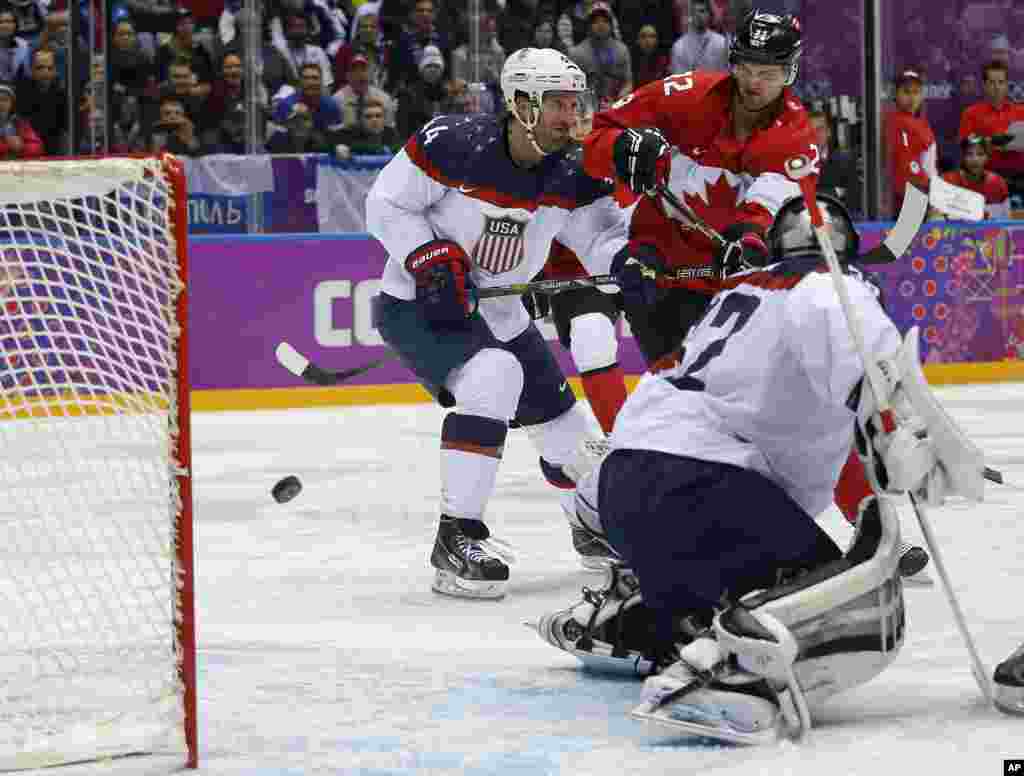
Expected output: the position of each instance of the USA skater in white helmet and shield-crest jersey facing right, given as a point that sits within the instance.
(475, 202)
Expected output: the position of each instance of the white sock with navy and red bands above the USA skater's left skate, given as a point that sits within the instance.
(472, 452)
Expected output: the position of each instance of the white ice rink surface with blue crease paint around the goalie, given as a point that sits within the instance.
(324, 652)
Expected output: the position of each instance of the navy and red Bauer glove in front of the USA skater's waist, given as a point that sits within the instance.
(441, 270)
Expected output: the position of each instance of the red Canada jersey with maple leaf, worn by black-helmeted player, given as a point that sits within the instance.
(724, 180)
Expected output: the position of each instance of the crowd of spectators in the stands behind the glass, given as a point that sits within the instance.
(339, 76)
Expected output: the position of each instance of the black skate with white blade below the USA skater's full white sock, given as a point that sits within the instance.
(465, 569)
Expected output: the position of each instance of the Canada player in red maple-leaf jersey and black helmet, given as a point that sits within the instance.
(731, 145)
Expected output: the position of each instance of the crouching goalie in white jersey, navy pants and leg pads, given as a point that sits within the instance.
(745, 611)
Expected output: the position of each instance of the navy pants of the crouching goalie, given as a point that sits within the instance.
(701, 533)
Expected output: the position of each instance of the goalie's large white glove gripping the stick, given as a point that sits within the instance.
(924, 451)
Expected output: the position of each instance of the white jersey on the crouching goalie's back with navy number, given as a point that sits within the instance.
(765, 380)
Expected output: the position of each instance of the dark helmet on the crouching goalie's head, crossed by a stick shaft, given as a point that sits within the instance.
(792, 234)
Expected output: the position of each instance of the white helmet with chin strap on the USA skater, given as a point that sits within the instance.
(534, 72)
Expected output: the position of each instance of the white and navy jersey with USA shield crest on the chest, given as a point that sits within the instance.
(455, 181)
